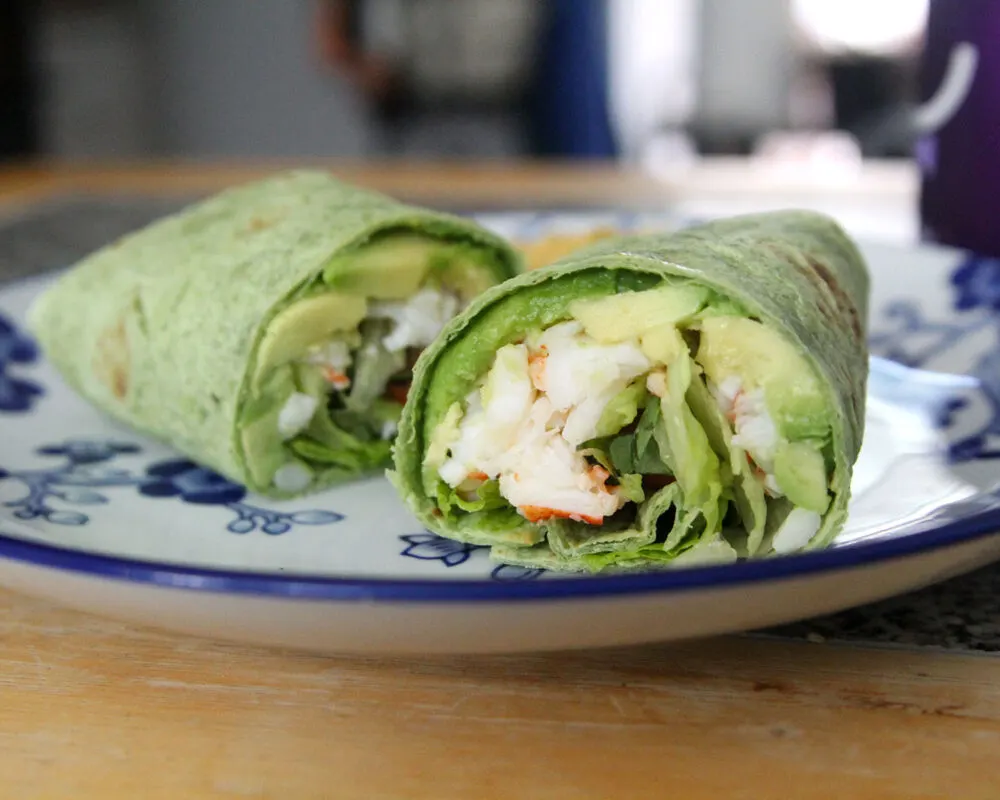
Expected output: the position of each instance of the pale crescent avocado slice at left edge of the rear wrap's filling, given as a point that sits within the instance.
(306, 323)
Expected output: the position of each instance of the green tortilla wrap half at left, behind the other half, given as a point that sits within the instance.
(268, 332)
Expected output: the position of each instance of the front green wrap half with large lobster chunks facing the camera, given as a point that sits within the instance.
(649, 401)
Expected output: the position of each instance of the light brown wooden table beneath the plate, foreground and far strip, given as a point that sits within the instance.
(95, 709)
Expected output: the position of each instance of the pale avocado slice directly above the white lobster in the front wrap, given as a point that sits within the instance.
(620, 317)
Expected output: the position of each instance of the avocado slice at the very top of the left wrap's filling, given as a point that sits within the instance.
(390, 268)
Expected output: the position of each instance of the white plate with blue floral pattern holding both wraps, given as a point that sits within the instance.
(93, 515)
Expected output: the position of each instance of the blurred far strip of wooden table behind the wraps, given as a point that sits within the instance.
(498, 184)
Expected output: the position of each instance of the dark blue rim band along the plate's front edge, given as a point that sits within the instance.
(170, 576)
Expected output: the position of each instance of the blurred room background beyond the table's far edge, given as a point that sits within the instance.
(653, 82)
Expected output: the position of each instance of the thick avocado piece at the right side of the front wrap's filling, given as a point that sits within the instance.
(762, 358)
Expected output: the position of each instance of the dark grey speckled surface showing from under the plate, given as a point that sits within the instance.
(961, 614)
